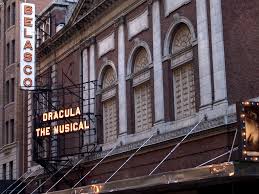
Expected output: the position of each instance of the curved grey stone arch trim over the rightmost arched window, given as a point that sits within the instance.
(178, 20)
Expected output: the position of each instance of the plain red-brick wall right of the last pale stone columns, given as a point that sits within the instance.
(241, 38)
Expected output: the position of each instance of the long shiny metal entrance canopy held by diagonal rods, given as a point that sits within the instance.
(207, 175)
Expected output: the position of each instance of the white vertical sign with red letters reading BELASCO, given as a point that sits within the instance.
(27, 46)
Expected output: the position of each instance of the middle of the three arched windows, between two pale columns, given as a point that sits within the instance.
(142, 91)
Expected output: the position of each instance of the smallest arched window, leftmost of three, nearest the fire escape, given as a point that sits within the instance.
(109, 105)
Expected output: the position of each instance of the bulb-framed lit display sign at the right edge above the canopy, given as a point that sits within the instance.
(248, 114)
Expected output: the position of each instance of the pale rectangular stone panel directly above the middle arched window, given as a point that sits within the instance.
(138, 24)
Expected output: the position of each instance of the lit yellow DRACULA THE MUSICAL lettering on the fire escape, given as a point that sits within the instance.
(61, 128)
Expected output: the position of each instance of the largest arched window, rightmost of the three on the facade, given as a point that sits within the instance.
(183, 73)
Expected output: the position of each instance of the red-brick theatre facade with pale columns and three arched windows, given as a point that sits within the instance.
(147, 77)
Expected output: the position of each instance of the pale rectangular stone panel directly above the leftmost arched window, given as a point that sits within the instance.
(106, 45)
